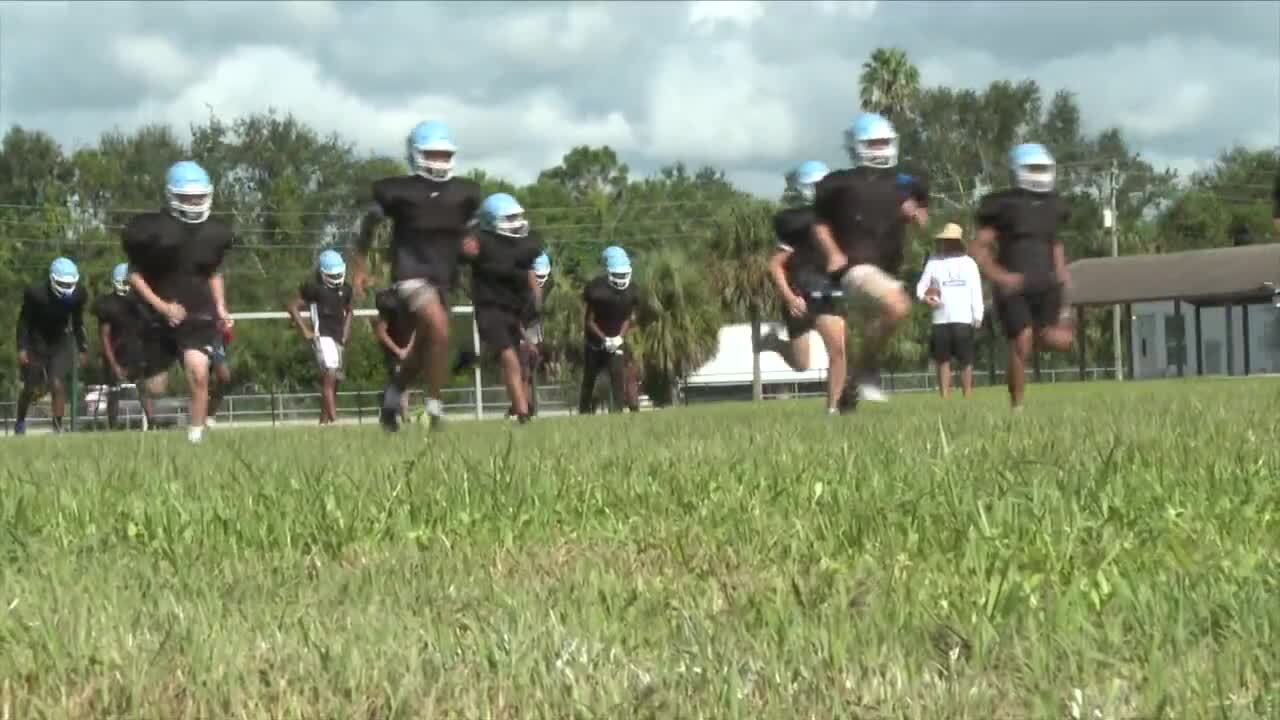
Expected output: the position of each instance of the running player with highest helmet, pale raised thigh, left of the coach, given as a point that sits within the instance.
(862, 217)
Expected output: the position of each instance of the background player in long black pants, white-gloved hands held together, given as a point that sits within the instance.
(611, 303)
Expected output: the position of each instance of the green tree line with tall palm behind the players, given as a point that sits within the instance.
(698, 243)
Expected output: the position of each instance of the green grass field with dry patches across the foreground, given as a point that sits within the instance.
(1114, 553)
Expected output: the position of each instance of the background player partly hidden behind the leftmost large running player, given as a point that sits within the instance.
(121, 322)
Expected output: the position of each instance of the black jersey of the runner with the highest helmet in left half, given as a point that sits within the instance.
(429, 222)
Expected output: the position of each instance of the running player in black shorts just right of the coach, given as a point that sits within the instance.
(1028, 268)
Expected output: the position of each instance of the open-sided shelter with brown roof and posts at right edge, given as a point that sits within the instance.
(1224, 294)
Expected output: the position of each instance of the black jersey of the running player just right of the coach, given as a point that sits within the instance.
(1026, 226)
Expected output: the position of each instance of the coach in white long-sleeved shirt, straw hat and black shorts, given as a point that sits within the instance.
(953, 286)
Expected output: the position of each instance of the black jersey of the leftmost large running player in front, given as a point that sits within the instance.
(179, 259)
